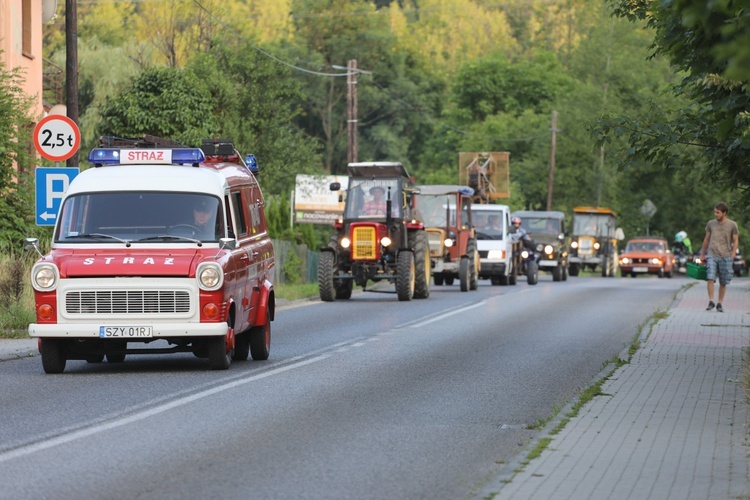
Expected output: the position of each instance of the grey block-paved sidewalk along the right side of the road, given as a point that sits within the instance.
(671, 424)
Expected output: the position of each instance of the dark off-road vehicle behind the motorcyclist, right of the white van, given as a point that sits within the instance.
(547, 230)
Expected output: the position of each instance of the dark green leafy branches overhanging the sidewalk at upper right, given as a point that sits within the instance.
(709, 44)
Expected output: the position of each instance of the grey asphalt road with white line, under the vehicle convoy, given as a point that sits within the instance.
(366, 398)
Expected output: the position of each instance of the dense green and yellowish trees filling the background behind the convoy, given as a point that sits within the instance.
(644, 112)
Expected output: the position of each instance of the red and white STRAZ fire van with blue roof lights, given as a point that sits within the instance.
(159, 244)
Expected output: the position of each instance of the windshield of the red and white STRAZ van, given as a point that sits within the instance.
(147, 216)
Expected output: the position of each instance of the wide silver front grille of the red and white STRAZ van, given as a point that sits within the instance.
(127, 302)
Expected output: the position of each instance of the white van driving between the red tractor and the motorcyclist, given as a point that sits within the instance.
(499, 254)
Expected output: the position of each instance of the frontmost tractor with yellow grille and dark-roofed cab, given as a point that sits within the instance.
(379, 237)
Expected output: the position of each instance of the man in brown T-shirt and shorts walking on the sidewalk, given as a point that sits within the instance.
(721, 241)
